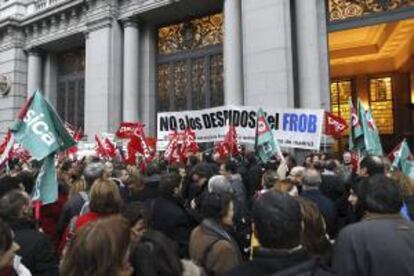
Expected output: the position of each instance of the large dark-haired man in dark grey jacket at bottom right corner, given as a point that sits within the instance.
(383, 242)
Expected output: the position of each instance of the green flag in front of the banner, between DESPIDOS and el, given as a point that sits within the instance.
(266, 145)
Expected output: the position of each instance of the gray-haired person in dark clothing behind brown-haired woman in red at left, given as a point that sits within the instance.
(73, 207)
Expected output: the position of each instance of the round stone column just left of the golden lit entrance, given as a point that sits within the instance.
(313, 69)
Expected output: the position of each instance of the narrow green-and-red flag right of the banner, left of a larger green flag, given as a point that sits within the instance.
(356, 134)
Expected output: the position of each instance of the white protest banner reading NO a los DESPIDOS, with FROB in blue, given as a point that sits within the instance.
(293, 128)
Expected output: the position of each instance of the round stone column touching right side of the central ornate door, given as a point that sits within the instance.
(233, 53)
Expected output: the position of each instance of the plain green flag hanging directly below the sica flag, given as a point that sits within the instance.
(46, 185)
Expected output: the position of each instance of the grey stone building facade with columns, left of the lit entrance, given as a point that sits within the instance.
(99, 61)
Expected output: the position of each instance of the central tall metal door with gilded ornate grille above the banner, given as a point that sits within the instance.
(190, 65)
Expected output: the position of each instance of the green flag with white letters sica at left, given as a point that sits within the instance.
(40, 130)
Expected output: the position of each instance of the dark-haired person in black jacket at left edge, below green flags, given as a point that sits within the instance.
(35, 248)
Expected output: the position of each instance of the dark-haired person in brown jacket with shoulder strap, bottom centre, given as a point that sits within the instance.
(211, 246)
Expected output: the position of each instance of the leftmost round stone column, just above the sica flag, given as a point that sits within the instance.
(34, 72)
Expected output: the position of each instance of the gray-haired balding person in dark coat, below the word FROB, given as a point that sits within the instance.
(311, 190)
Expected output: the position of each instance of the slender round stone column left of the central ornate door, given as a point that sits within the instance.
(130, 104)
